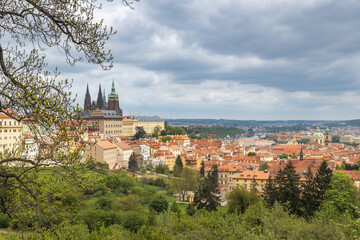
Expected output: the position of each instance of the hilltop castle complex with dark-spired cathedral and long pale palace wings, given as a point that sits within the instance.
(106, 116)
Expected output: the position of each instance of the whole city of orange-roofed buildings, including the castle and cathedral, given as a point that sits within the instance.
(114, 138)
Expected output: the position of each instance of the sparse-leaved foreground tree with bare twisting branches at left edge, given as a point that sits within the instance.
(32, 93)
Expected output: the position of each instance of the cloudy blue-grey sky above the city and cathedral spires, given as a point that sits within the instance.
(233, 59)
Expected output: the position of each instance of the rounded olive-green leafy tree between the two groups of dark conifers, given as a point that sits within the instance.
(240, 199)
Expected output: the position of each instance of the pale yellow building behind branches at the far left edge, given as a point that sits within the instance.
(10, 133)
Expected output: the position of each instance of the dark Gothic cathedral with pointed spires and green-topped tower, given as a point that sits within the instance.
(101, 103)
